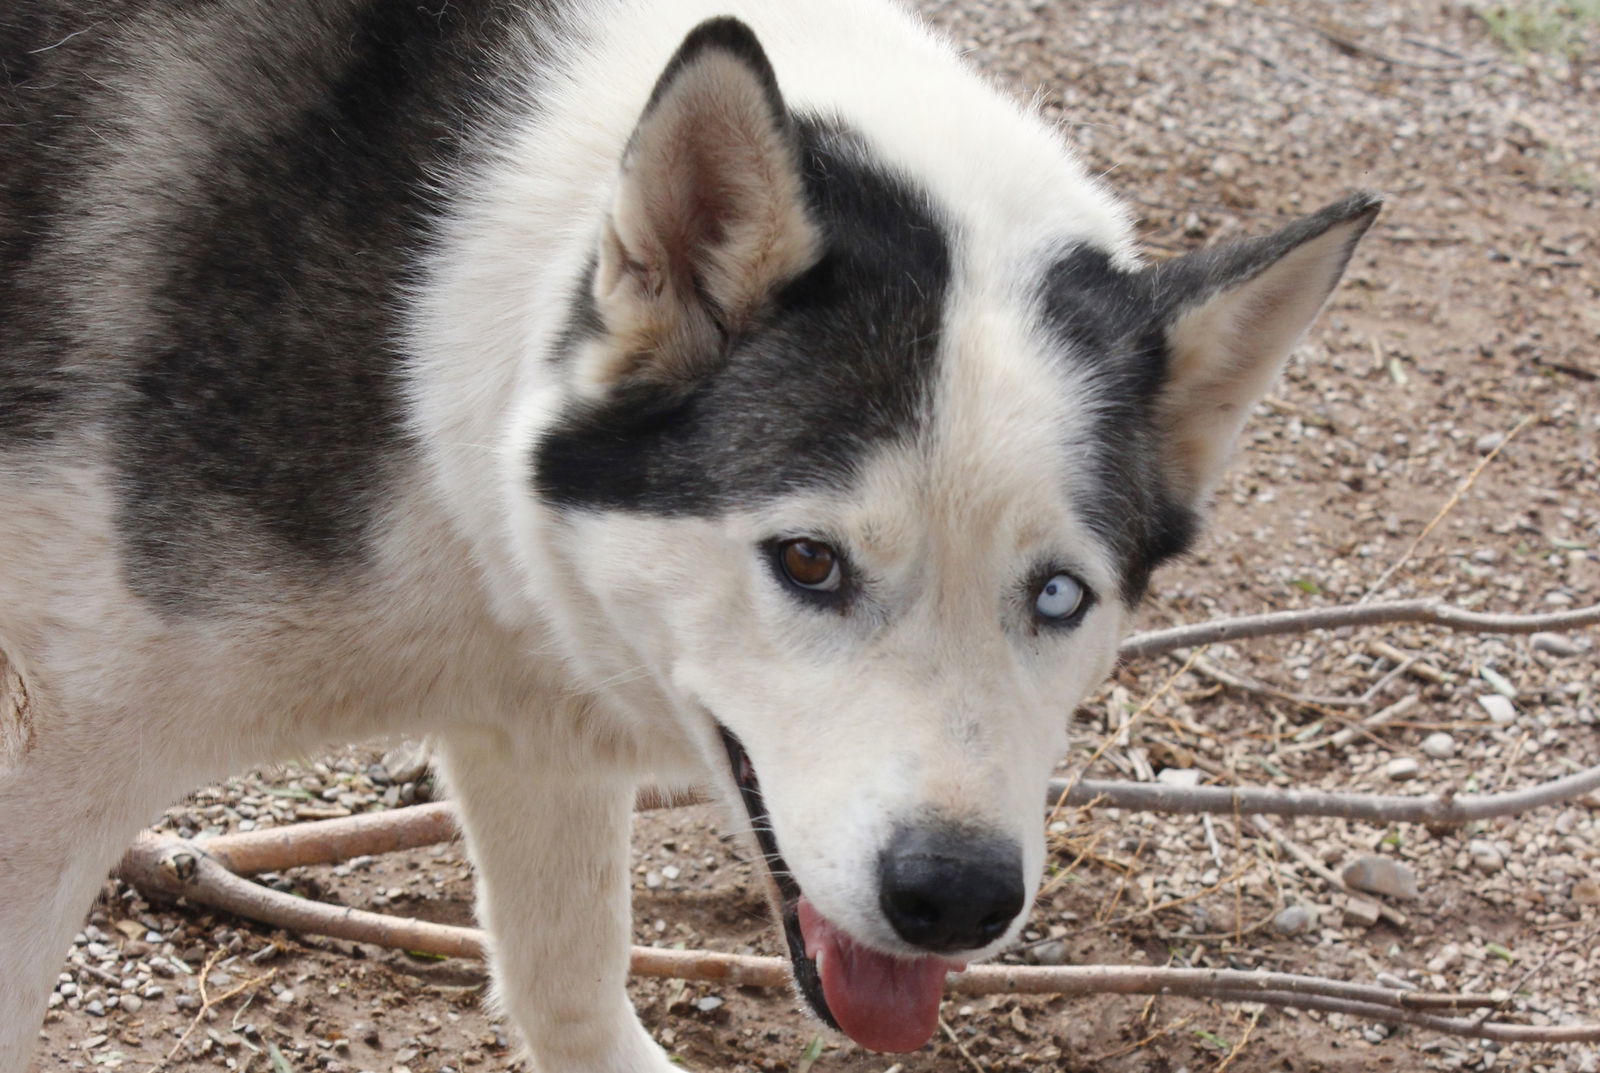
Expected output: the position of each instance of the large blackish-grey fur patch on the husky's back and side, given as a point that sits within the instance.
(207, 217)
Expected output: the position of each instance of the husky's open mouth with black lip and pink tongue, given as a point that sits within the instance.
(879, 1000)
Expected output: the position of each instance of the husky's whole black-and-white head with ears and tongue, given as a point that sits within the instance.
(868, 484)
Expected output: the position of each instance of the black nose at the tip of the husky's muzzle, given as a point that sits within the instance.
(950, 888)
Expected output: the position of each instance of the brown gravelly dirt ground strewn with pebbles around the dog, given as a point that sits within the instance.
(1471, 313)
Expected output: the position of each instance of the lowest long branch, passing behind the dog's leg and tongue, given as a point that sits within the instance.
(183, 869)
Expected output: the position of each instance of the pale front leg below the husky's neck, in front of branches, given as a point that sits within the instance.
(551, 852)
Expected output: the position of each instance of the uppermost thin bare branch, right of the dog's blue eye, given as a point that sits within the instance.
(1426, 612)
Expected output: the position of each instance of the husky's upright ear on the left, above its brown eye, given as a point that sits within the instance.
(710, 215)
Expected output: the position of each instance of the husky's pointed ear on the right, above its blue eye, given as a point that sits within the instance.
(1236, 313)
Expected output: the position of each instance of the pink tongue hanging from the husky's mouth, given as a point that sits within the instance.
(881, 1002)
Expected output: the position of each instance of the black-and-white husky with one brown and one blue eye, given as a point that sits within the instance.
(726, 393)
